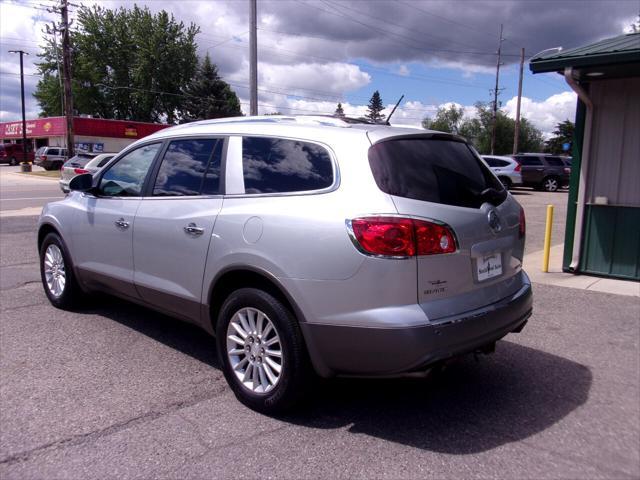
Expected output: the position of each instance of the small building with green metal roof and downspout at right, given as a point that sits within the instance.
(602, 235)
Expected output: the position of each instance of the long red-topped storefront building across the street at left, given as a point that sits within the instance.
(90, 134)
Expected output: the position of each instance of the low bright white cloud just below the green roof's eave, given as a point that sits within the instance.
(546, 114)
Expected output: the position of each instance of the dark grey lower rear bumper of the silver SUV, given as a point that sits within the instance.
(367, 351)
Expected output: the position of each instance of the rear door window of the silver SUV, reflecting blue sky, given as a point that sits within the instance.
(190, 167)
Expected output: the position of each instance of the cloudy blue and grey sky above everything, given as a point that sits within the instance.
(315, 53)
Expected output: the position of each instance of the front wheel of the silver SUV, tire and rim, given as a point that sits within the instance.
(55, 264)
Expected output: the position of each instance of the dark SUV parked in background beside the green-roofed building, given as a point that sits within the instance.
(543, 172)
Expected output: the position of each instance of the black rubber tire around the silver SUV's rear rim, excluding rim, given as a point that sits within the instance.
(287, 389)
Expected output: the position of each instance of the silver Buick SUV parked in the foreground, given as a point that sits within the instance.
(303, 244)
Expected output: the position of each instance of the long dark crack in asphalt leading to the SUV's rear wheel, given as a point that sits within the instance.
(110, 430)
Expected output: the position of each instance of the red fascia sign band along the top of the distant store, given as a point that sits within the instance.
(91, 127)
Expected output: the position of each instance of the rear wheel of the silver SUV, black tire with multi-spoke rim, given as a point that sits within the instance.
(262, 387)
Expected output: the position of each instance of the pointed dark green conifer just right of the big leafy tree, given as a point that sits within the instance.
(208, 96)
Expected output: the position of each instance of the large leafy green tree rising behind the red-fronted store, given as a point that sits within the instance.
(128, 64)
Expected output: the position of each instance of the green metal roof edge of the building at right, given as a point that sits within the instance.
(623, 49)
